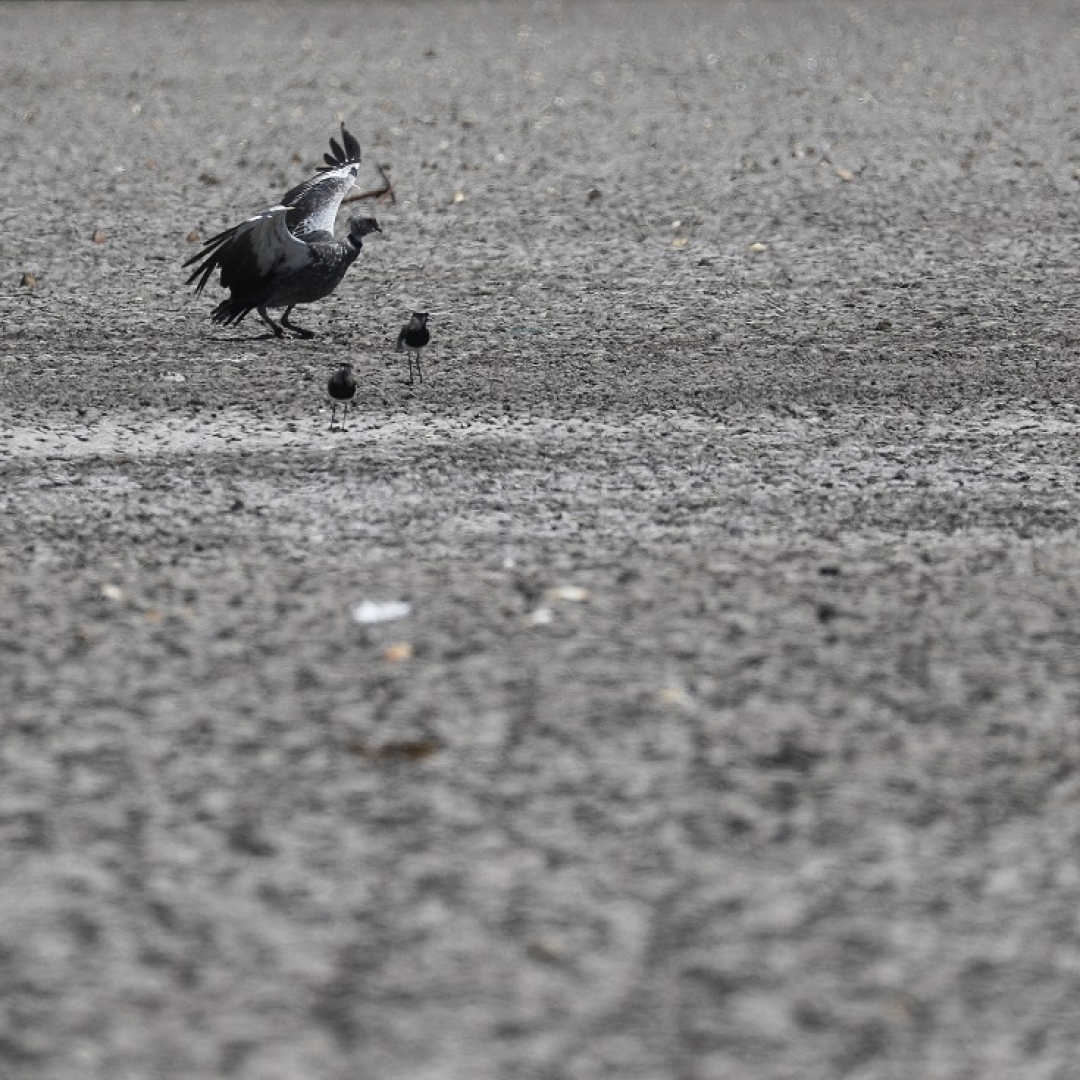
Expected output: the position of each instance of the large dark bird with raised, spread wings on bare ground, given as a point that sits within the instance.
(288, 255)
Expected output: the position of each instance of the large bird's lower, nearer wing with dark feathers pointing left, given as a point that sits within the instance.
(250, 253)
